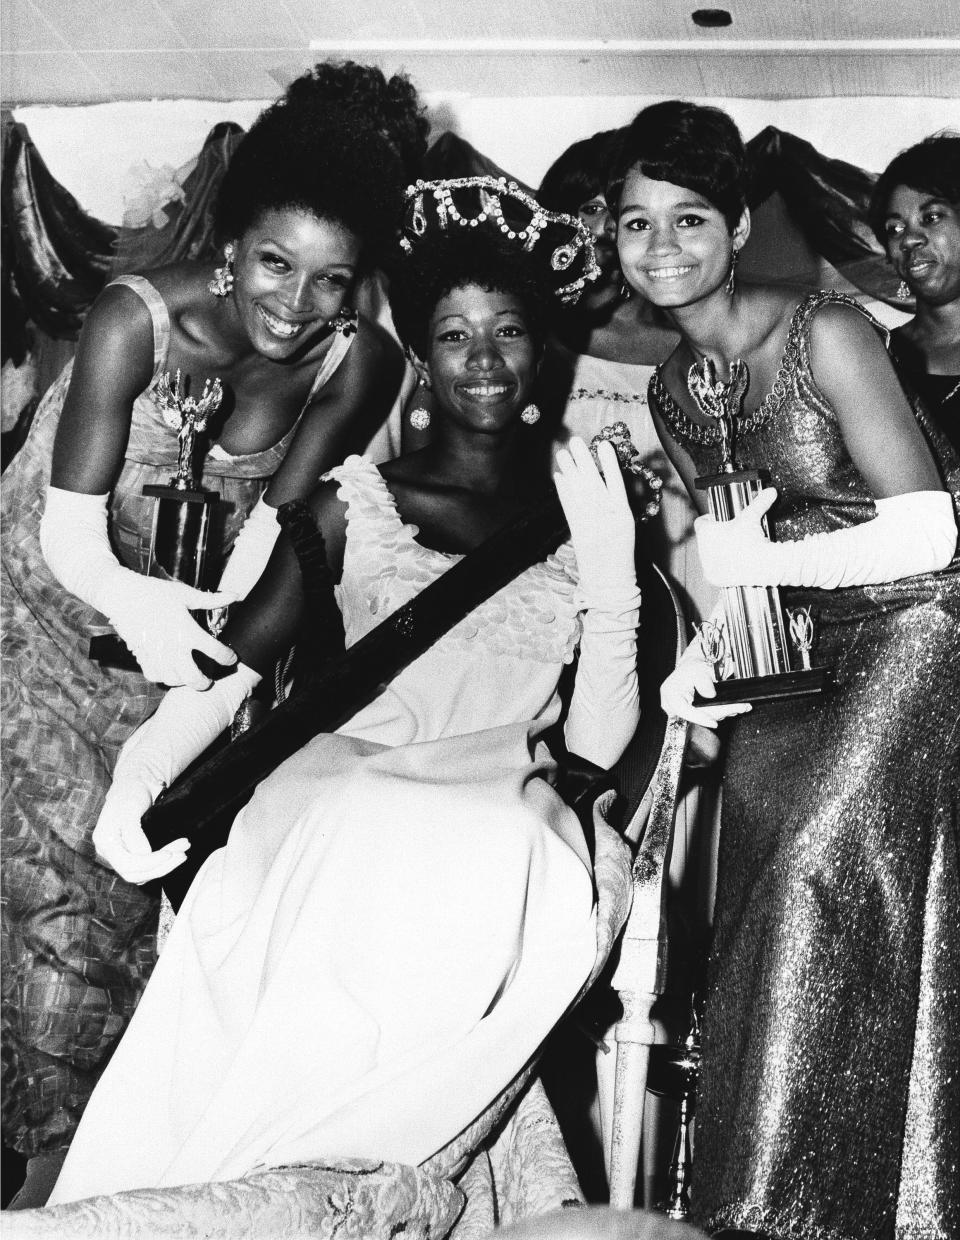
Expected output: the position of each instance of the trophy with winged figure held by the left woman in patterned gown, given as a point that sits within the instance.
(182, 509)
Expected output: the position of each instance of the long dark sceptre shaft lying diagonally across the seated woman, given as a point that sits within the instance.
(204, 804)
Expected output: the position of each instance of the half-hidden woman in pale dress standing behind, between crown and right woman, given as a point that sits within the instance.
(602, 355)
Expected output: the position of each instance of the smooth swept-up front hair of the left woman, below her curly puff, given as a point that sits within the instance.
(308, 153)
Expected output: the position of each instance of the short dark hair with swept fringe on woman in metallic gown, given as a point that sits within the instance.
(691, 146)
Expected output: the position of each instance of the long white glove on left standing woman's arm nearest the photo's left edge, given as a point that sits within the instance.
(152, 616)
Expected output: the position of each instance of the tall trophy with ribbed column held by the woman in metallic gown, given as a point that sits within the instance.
(750, 648)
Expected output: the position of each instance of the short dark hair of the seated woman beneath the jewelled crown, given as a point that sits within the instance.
(450, 261)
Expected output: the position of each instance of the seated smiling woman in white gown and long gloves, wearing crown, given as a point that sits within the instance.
(407, 898)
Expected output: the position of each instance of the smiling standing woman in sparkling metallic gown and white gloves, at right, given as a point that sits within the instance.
(829, 1098)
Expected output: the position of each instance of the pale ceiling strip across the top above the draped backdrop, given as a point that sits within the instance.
(96, 51)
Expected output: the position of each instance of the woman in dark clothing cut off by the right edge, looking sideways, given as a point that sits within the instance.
(916, 215)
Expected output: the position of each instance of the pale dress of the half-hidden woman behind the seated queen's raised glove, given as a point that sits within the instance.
(606, 392)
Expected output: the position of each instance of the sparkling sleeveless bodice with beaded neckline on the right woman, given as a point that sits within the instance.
(793, 433)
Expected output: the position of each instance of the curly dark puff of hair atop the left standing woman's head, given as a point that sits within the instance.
(391, 106)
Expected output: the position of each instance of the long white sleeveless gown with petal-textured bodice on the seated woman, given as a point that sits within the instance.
(400, 917)
